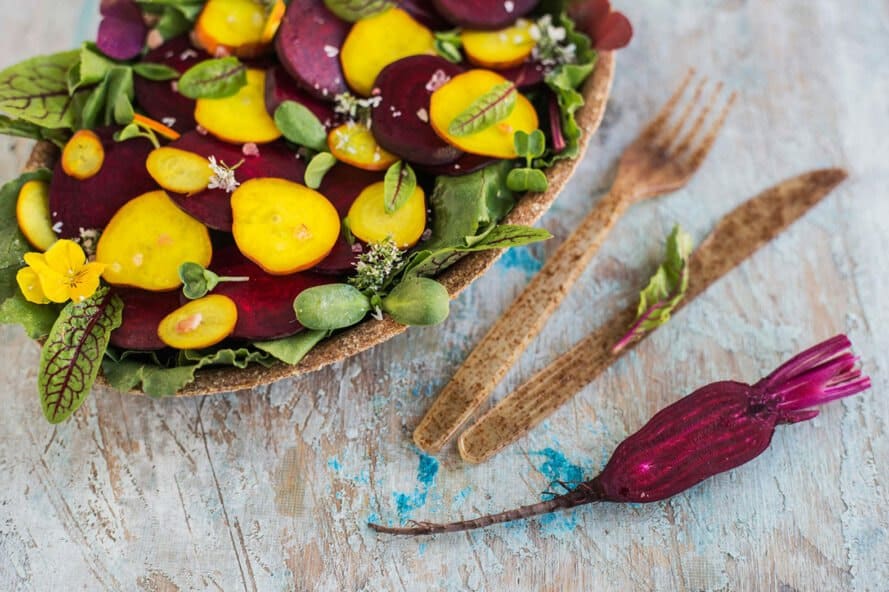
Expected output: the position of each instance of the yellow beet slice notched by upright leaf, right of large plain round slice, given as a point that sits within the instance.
(369, 221)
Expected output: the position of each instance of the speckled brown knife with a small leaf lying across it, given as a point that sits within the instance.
(737, 236)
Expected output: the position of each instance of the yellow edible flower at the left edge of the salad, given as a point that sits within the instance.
(63, 272)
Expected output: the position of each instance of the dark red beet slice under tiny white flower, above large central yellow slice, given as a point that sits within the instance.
(213, 206)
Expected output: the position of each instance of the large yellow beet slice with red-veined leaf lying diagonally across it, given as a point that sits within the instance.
(458, 94)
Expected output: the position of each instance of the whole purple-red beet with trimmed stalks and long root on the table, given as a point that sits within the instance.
(716, 428)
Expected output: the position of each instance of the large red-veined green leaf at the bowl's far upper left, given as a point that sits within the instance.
(36, 90)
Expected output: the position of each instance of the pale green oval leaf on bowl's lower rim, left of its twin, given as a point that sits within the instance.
(331, 306)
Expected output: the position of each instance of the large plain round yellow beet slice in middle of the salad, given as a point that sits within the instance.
(283, 227)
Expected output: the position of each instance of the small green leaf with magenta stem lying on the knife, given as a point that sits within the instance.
(664, 291)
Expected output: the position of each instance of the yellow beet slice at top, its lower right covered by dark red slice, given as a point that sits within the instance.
(377, 41)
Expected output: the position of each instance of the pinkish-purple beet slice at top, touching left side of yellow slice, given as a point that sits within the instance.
(308, 44)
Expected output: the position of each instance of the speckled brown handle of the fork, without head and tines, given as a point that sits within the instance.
(510, 335)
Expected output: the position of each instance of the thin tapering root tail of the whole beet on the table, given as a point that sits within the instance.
(585, 493)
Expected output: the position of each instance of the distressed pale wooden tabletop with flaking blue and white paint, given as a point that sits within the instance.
(271, 489)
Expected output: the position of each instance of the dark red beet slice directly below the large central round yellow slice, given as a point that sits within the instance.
(265, 302)
